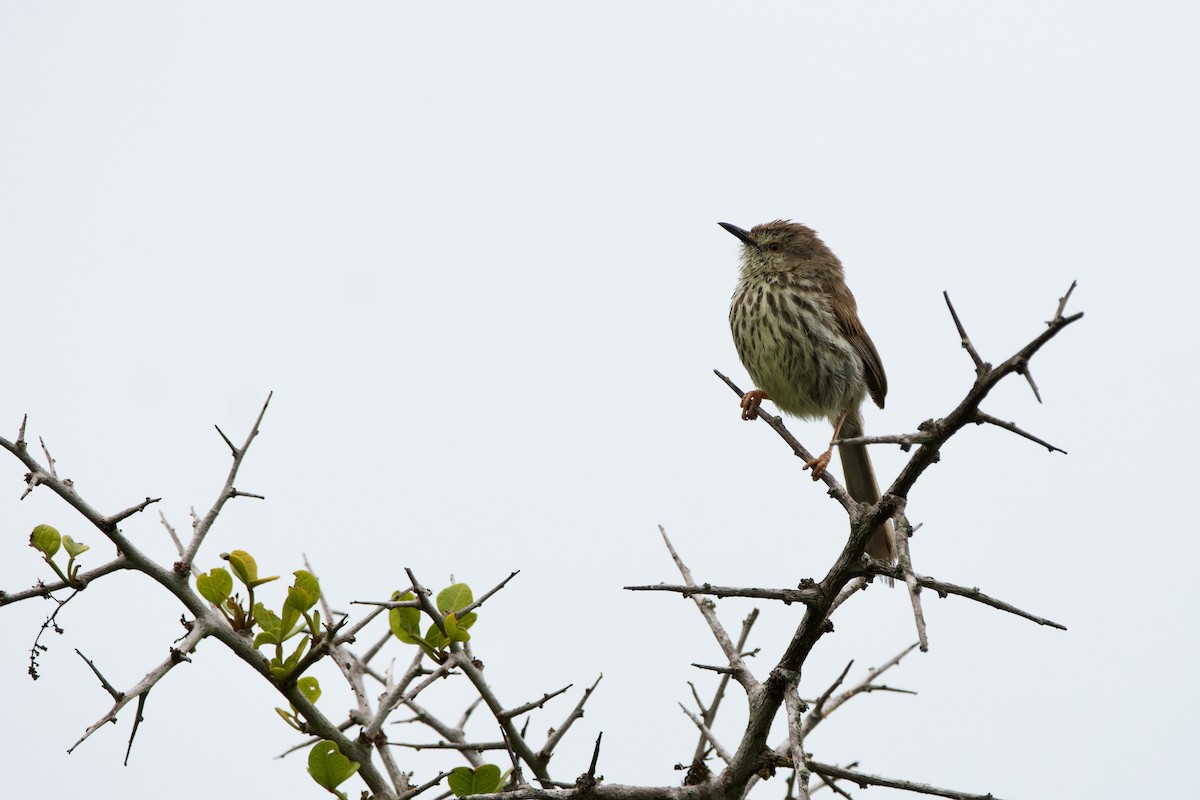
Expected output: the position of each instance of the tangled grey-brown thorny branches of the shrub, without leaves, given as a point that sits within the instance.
(848, 576)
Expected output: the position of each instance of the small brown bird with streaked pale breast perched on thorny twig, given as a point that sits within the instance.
(797, 330)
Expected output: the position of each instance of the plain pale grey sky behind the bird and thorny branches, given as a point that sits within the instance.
(473, 250)
